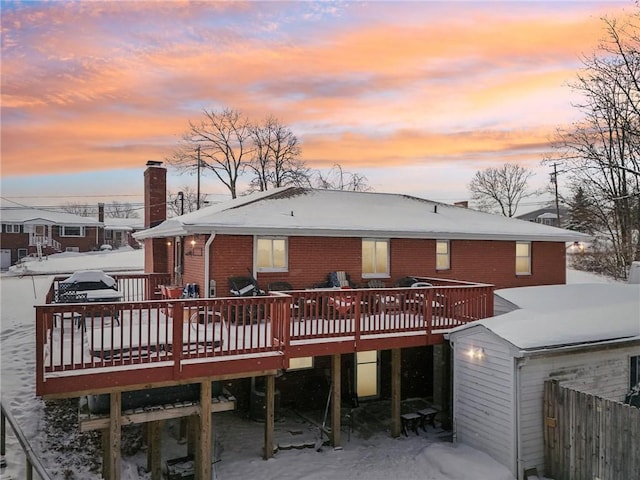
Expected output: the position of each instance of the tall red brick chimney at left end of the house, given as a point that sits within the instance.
(155, 212)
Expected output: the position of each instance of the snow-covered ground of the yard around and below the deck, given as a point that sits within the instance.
(52, 426)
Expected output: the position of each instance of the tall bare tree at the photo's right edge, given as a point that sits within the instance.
(601, 153)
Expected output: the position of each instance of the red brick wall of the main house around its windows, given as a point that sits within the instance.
(312, 258)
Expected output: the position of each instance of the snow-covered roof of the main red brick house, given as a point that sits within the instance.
(296, 211)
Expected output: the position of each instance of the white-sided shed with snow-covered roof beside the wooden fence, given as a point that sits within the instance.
(587, 336)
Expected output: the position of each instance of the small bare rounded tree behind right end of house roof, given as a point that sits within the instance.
(501, 189)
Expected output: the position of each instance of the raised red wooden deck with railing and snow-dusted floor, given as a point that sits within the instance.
(95, 347)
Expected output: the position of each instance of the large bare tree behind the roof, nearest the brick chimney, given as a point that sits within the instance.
(220, 142)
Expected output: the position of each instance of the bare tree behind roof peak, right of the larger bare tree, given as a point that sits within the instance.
(276, 161)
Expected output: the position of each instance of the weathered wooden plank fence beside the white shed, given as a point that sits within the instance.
(589, 437)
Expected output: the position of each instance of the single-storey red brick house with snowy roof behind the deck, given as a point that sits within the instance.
(299, 235)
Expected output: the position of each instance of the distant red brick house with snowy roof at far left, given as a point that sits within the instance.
(31, 231)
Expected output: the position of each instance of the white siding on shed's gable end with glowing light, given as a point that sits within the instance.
(483, 395)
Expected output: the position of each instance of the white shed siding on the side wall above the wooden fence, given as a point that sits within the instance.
(603, 372)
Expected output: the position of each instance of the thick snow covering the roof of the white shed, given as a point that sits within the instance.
(553, 316)
